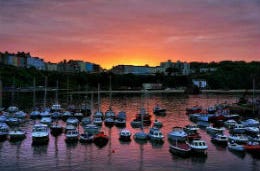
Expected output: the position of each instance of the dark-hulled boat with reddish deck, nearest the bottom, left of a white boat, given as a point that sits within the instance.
(181, 149)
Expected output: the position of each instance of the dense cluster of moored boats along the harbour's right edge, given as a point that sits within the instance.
(243, 135)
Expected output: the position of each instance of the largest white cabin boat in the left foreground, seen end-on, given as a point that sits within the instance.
(40, 134)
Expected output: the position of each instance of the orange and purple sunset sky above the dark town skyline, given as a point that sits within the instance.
(134, 32)
